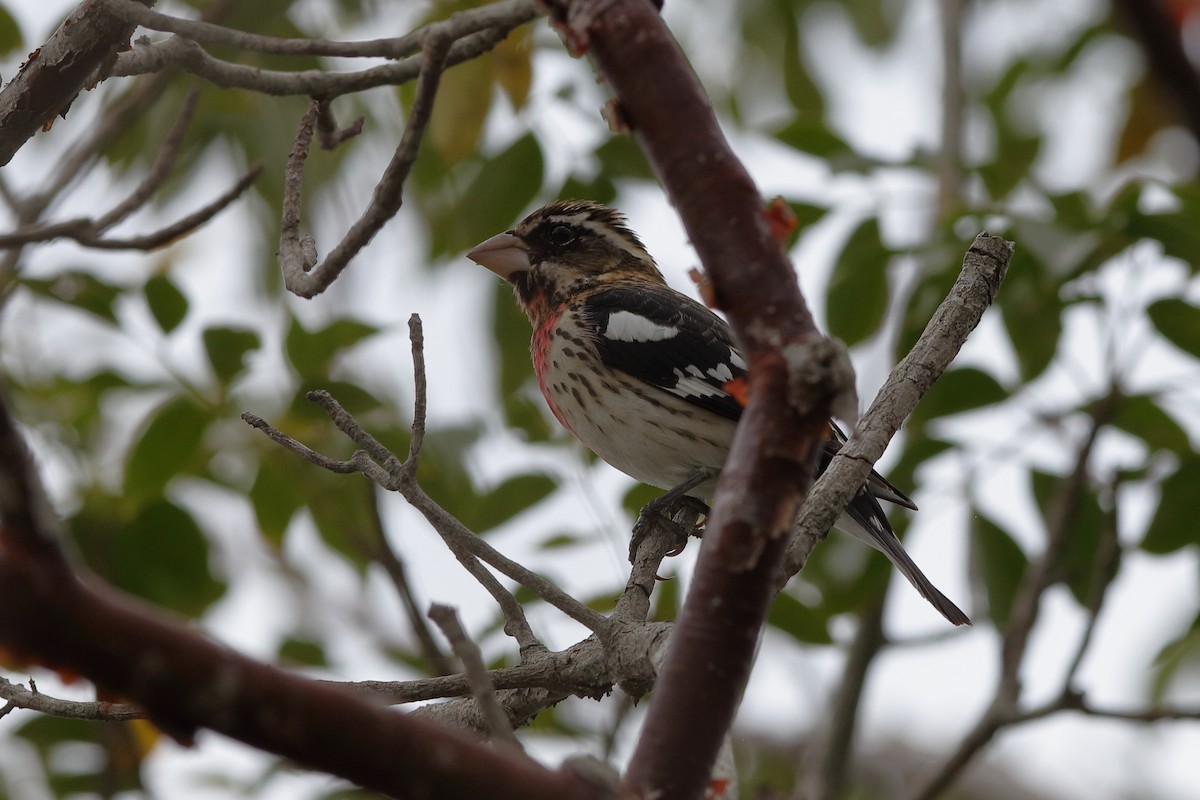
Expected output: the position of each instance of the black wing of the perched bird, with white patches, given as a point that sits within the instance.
(669, 341)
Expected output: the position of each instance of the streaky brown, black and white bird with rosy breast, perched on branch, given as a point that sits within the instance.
(646, 377)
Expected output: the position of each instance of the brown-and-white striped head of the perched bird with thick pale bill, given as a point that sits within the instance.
(567, 248)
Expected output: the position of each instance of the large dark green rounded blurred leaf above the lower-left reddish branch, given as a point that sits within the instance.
(164, 557)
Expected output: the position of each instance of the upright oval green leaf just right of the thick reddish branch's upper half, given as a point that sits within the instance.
(857, 299)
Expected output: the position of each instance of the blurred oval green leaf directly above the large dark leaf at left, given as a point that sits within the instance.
(166, 446)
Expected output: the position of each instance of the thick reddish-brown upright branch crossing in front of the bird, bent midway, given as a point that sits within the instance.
(772, 461)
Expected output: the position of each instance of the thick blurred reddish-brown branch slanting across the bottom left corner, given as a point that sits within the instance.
(187, 682)
